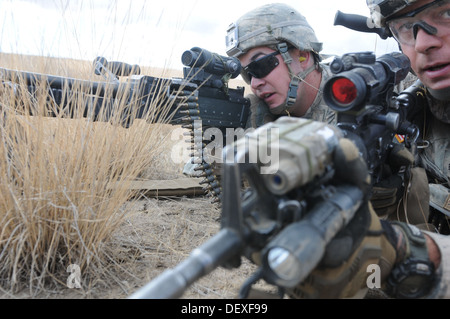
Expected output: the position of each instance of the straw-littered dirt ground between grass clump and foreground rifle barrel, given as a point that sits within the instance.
(158, 234)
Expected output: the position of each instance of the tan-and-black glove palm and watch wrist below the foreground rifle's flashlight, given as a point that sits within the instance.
(399, 250)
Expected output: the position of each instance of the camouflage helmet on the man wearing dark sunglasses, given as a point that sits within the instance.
(269, 25)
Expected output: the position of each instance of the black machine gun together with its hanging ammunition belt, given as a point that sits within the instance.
(199, 100)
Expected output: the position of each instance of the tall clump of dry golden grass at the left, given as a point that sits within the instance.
(63, 186)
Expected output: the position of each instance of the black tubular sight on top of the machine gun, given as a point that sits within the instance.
(211, 63)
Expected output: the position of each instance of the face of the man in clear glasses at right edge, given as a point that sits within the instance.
(430, 54)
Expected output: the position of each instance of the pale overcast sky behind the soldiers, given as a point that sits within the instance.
(156, 33)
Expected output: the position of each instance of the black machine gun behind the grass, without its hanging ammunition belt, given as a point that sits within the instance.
(218, 105)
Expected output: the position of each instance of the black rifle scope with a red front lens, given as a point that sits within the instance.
(361, 79)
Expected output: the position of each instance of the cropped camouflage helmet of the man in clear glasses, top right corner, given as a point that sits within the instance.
(380, 10)
